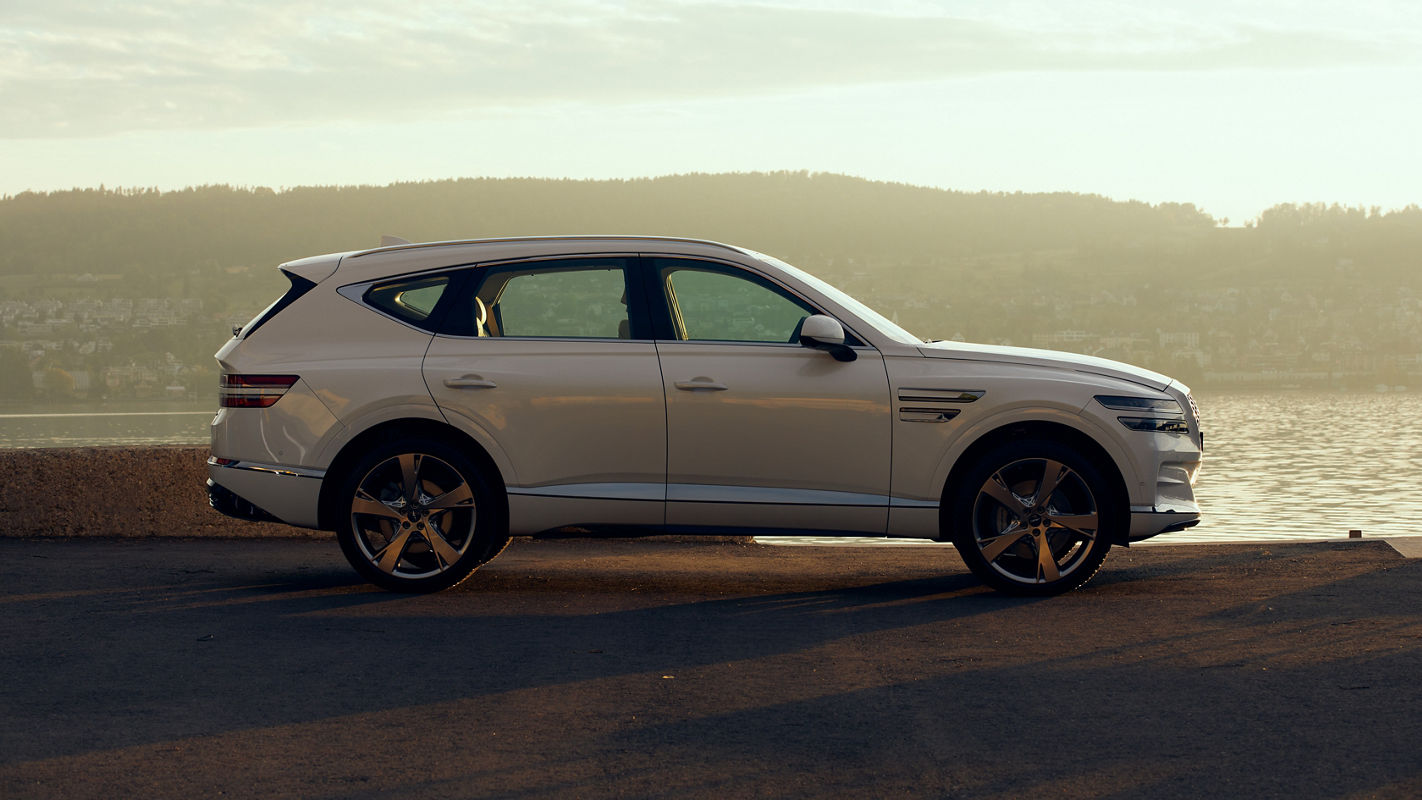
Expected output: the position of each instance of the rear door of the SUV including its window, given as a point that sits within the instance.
(554, 362)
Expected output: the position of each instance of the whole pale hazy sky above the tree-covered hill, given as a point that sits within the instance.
(1234, 106)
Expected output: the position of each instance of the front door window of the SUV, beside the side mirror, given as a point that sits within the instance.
(715, 305)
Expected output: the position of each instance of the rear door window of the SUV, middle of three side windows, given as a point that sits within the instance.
(567, 299)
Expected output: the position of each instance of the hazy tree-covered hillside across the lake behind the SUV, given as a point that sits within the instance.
(1308, 293)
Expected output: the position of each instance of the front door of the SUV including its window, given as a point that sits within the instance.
(761, 431)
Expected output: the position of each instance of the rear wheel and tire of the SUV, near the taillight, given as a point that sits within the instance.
(417, 515)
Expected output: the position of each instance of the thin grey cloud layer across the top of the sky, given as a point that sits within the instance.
(79, 69)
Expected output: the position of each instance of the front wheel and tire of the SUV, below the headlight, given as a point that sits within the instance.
(1000, 522)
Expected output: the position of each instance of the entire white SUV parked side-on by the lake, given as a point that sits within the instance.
(430, 401)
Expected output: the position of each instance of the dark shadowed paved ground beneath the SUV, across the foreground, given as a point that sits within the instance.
(663, 670)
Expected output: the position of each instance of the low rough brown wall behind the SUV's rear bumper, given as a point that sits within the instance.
(129, 492)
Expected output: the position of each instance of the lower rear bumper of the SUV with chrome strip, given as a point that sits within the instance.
(265, 492)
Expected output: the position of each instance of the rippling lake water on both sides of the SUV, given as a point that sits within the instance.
(1279, 467)
